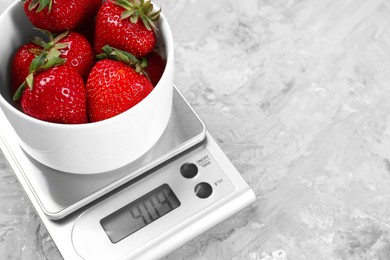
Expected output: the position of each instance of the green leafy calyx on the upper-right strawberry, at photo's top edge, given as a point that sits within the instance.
(140, 9)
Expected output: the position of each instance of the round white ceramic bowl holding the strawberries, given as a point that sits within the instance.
(85, 148)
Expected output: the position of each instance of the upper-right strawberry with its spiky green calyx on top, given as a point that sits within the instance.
(127, 25)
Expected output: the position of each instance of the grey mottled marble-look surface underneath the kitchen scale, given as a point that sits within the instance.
(297, 92)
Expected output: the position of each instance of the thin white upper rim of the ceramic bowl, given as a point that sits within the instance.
(169, 47)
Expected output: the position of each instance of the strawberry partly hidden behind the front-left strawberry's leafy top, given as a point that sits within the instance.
(72, 47)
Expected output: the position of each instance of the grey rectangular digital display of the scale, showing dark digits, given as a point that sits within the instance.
(140, 213)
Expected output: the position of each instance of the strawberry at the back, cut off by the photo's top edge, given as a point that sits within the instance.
(60, 15)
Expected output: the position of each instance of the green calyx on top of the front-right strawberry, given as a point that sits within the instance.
(138, 64)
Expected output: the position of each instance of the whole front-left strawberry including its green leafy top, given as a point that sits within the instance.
(52, 91)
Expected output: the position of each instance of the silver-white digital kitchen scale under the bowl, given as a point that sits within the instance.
(180, 188)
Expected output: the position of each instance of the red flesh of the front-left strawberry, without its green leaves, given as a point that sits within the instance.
(58, 96)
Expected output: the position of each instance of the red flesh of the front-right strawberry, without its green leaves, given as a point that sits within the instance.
(114, 87)
